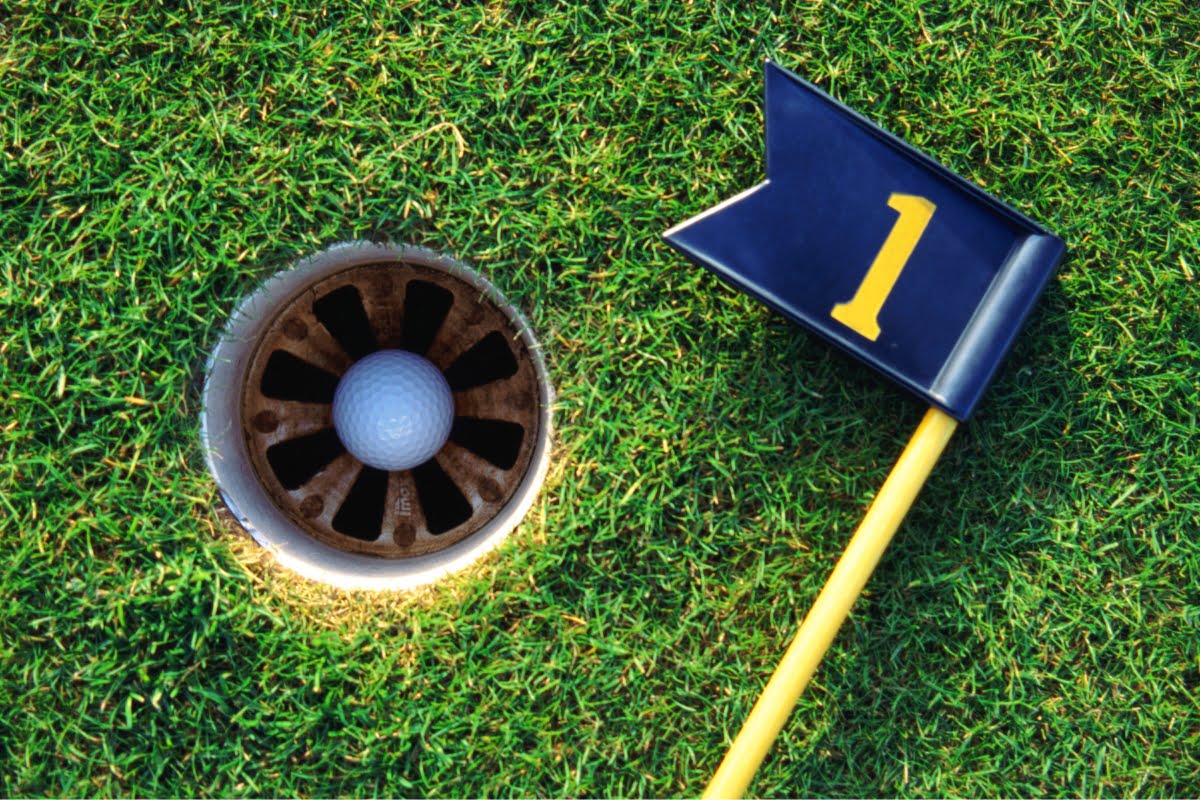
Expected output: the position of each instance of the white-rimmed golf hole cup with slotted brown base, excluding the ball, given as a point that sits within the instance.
(284, 471)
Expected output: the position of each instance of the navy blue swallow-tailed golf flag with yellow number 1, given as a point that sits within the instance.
(878, 249)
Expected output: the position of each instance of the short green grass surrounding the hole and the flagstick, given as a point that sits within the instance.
(1035, 629)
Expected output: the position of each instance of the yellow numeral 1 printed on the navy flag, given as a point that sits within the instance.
(862, 314)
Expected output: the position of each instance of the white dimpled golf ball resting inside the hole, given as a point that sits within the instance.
(393, 411)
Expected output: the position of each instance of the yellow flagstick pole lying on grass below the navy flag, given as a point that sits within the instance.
(832, 606)
